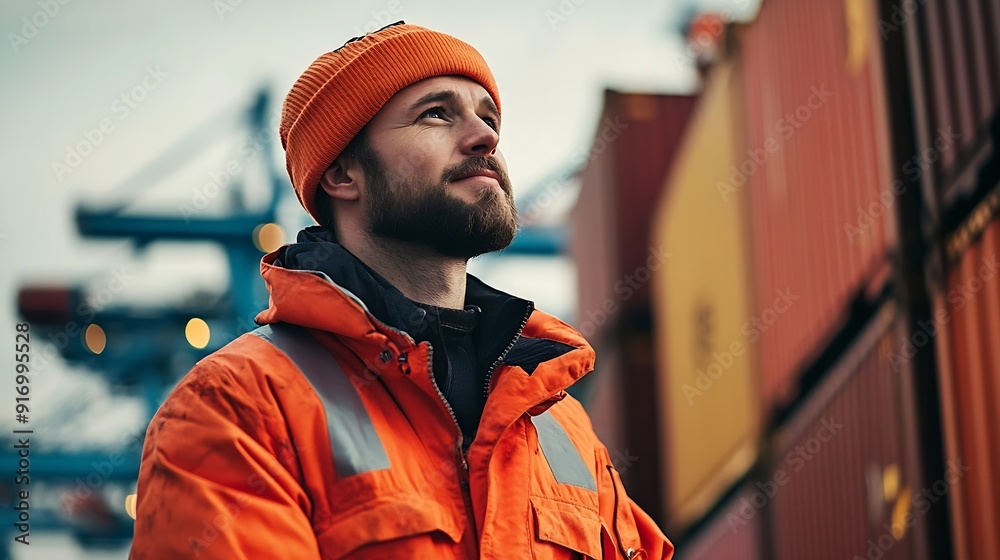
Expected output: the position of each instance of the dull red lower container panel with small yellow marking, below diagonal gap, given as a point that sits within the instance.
(844, 480)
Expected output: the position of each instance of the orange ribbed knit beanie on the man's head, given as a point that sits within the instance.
(342, 90)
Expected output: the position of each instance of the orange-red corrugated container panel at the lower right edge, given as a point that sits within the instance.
(969, 356)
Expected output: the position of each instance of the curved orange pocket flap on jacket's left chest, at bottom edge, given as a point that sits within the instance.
(387, 519)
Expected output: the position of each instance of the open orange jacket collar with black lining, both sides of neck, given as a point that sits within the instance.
(367, 309)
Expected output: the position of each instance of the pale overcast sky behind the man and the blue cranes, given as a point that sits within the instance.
(66, 72)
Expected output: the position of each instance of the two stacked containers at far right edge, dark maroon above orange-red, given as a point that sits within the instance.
(953, 58)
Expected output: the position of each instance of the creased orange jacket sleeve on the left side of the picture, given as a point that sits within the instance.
(212, 483)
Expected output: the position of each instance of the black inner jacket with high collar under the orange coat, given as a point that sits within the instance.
(466, 343)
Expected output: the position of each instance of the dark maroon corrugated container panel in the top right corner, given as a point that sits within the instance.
(953, 49)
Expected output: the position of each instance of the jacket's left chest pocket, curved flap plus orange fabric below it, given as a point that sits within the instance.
(398, 526)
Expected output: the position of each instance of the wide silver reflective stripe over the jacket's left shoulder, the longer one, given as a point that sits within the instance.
(356, 446)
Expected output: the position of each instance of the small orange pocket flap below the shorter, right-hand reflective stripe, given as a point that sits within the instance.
(570, 525)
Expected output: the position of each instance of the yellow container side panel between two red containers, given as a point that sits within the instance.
(707, 375)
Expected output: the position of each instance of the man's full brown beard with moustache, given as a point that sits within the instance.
(425, 213)
